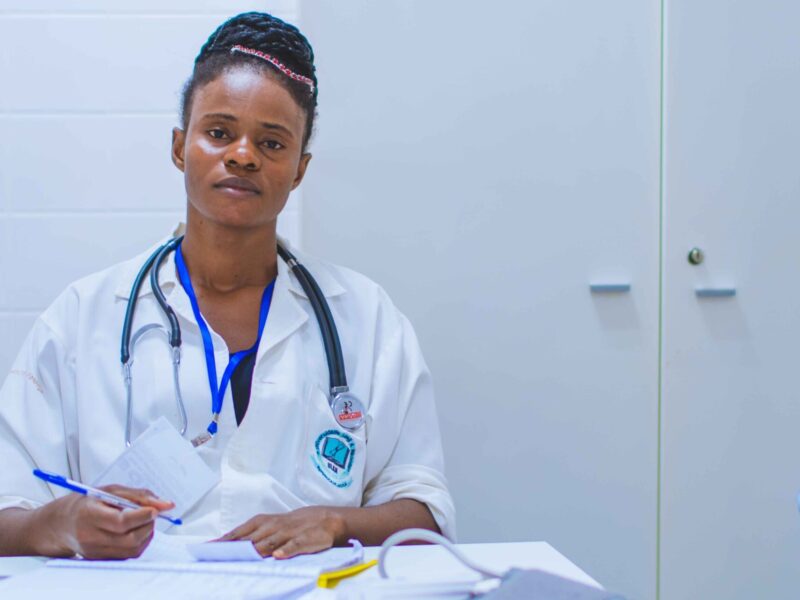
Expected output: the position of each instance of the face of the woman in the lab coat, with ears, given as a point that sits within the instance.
(241, 152)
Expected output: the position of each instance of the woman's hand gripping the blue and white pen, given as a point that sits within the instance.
(78, 524)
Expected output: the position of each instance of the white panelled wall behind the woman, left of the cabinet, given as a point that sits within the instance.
(89, 96)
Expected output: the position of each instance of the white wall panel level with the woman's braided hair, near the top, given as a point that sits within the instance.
(98, 63)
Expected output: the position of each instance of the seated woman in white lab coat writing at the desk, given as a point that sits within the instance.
(247, 116)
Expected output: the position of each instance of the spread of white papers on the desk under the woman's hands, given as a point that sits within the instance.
(171, 570)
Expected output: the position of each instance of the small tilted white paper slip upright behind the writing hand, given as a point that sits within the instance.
(165, 463)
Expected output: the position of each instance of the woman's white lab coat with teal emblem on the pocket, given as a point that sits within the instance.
(63, 406)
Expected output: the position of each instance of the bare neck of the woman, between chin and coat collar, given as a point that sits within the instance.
(225, 259)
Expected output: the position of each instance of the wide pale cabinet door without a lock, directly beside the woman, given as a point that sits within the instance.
(486, 163)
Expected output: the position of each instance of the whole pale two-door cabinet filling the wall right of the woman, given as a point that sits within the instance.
(489, 167)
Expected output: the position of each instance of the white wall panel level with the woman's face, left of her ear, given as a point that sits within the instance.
(89, 163)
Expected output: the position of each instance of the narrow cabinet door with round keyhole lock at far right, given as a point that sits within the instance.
(731, 411)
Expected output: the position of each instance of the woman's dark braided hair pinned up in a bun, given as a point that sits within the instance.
(260, 34)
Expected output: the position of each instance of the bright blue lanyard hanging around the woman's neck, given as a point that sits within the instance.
(218, 390)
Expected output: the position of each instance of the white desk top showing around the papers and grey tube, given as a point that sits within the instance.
(425, 563)
